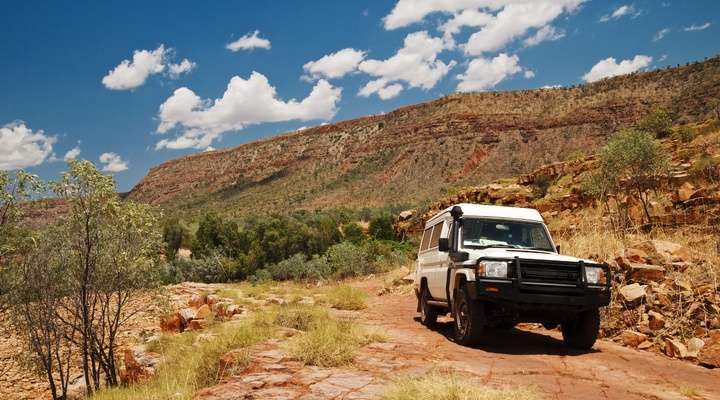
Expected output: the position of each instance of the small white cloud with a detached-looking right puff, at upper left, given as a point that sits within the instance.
(131, 74)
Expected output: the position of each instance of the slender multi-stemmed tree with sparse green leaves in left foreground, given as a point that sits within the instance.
(113, 249)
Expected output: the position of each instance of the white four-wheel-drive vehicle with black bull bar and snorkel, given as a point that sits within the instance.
(492, 266)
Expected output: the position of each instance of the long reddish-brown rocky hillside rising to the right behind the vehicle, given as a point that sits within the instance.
(418, 152)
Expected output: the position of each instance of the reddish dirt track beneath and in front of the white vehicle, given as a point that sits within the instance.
(538, 357)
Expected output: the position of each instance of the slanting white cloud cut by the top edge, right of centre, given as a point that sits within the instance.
(513, 21)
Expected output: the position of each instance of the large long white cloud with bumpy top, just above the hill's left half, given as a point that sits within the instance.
(245, 102)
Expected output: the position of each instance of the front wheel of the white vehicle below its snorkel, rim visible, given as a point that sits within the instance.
(469, 318)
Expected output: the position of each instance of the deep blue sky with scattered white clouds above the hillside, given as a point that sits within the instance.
(188, 81)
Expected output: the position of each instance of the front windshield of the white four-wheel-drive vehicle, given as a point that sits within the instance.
(483, 233)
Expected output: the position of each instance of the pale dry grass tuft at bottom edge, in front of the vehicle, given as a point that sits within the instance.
(448, 386)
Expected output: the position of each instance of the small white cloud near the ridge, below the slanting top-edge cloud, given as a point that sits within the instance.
(484, 73)
